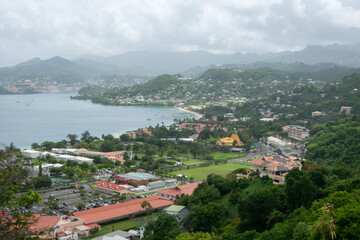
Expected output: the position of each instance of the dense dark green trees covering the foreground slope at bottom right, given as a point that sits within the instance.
(304, 208)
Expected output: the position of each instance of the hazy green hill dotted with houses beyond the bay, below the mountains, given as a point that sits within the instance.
(218, 84)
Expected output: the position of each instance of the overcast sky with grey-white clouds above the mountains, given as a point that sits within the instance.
(69, 28)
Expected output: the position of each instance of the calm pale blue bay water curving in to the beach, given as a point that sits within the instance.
(25, 119)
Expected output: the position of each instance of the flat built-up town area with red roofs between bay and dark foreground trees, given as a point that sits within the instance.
(77, 205)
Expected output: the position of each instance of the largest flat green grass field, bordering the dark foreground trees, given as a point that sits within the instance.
(202, 172)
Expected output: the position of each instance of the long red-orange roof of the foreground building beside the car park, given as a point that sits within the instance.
(120, 210)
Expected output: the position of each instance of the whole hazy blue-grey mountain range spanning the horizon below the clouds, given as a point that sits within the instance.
(312, 58)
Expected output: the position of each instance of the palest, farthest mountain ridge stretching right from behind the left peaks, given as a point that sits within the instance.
(178, 62)
